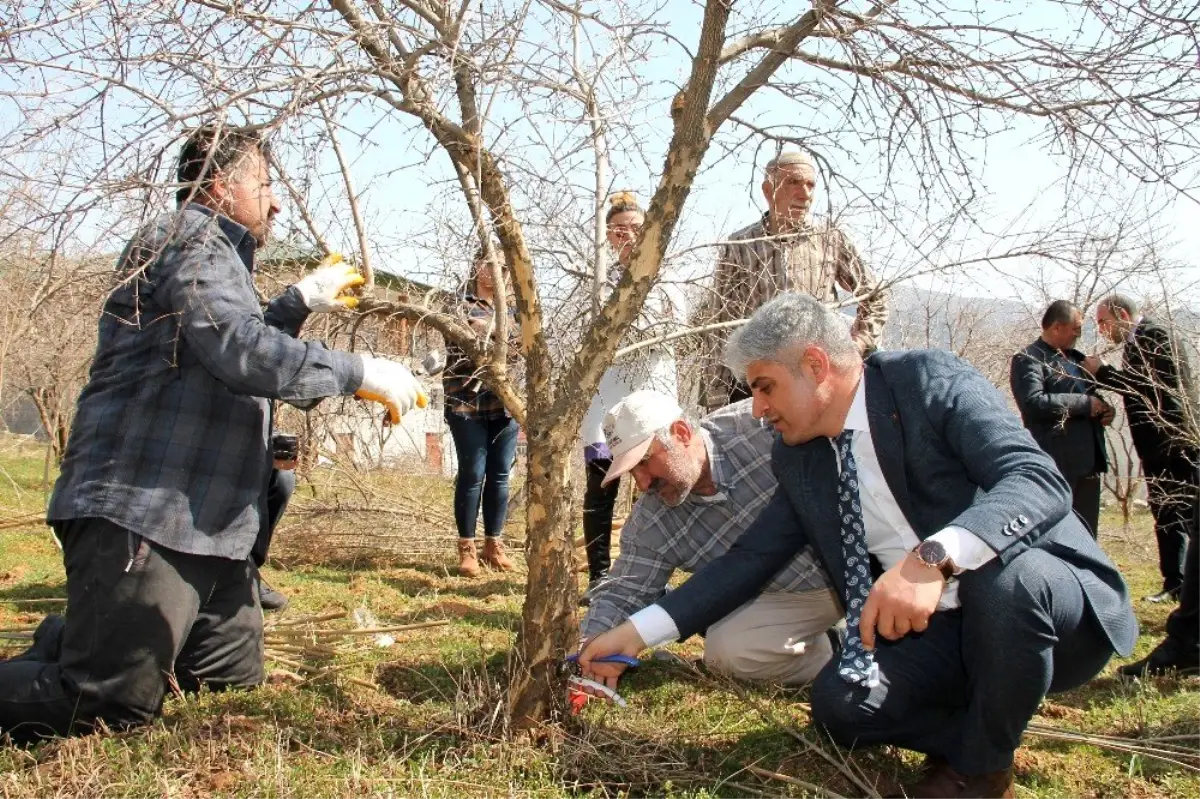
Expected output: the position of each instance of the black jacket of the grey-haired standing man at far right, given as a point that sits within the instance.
(1156, 382)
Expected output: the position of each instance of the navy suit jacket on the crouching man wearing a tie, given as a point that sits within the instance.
(952, 454)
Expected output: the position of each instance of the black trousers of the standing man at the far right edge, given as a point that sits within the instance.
(1171, 492)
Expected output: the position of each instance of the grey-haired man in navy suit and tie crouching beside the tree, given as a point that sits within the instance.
(970, 587)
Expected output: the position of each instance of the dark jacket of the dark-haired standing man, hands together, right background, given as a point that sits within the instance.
(1057, 408)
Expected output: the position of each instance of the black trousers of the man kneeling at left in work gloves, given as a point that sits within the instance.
(140, 616)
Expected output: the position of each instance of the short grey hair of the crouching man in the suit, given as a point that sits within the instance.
(785, 327)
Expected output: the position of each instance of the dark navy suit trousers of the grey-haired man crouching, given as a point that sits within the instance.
(968, 687)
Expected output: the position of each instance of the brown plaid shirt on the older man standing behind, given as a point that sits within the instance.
(755, 267)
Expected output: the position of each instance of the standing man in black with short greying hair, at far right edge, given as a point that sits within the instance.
(1155, 382)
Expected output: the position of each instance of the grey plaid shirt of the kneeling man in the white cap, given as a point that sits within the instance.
(658, 539)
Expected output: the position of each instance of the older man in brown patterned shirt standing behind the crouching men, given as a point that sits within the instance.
(784, 251)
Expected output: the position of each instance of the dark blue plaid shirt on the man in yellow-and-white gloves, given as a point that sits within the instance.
(172, 432)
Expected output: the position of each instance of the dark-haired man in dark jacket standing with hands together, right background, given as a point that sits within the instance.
(1059, 406)
